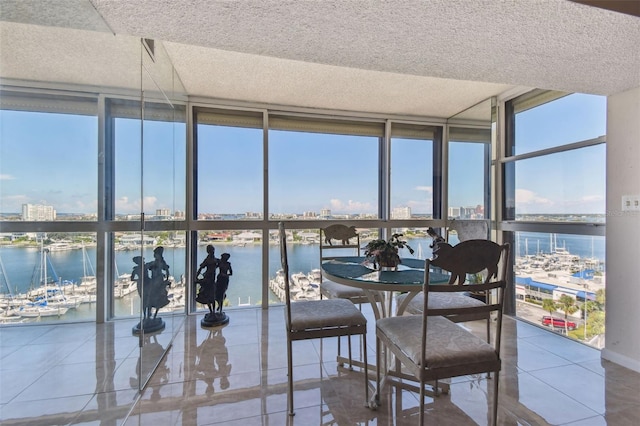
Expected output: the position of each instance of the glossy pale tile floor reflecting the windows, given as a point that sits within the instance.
(85, 374)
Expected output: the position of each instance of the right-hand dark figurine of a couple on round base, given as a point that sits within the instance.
(213, 291)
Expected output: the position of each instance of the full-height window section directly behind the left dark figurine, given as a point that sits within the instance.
(145, 184)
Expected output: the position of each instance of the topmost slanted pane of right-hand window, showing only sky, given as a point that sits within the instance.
(572, 118)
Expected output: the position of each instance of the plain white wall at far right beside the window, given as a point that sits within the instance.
(622, 344)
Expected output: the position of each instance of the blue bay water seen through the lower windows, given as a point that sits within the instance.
(21, 265)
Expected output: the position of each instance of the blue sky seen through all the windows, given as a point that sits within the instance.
(52, 159)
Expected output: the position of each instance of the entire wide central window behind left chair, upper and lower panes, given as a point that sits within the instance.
(320, 170)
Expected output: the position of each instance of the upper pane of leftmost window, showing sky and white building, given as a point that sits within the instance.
(48, 166)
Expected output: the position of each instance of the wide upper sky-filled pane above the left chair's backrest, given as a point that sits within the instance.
(322, 175)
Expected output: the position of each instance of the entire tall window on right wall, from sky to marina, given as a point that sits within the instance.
(555, 209)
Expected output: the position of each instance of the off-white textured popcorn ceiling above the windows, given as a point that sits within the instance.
(429, 57)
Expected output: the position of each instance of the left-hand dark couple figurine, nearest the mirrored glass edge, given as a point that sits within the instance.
(152, 281)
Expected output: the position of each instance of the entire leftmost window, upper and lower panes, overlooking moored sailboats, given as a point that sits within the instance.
(48, 189)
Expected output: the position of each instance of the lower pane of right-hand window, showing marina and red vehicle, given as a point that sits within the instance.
(558, 274)
